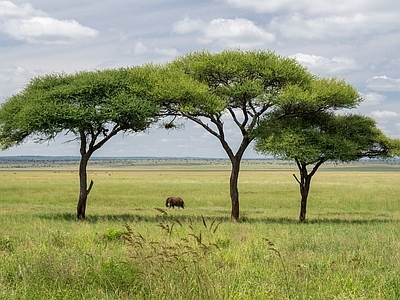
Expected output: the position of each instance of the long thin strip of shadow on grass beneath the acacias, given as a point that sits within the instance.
(165, 217)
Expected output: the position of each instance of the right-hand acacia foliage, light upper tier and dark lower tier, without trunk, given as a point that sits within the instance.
(306, 127)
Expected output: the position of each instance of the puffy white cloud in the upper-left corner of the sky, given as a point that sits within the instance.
(26, 24)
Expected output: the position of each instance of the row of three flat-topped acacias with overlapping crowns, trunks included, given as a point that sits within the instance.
(270, 99)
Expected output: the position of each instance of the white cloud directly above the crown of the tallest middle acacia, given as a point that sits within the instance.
(228, 33)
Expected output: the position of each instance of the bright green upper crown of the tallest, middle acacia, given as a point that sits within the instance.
(242, 79)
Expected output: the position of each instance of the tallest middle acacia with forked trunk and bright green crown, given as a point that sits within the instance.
(247, 85)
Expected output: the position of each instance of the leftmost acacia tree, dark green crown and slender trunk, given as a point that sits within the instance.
(92, 106)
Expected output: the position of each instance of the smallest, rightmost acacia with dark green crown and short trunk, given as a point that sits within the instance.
(310, 140)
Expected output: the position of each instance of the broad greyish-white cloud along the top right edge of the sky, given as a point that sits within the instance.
(341, 20)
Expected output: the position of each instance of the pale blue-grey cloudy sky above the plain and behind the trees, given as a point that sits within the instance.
(357, 40)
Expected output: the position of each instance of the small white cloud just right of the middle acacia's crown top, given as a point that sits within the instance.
(320, 64)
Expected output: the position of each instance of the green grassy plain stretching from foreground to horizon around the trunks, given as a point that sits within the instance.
(132, 247)
